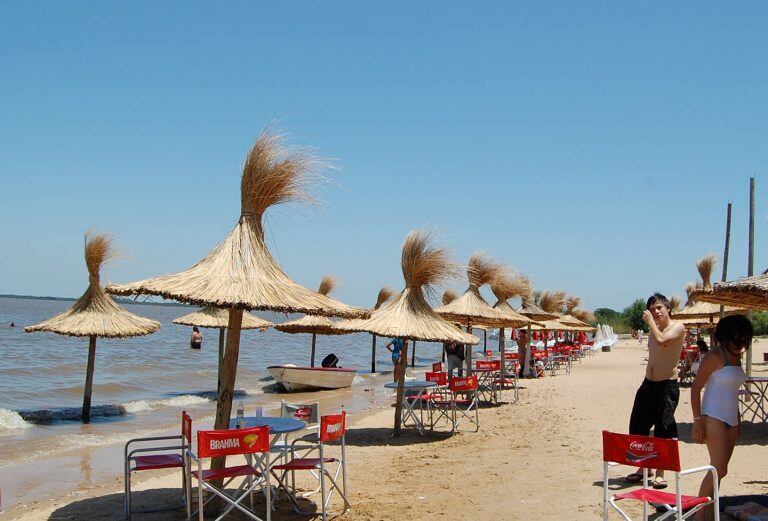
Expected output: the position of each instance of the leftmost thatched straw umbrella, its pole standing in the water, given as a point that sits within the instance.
(95, 314)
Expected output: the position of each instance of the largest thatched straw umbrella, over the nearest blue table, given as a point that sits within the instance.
(240, 273)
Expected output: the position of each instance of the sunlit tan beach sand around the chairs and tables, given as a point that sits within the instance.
(540, 458)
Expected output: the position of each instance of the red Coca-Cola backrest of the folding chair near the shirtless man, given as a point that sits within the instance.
(641, 451)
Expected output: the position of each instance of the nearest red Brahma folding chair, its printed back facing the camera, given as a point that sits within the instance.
(253, 443)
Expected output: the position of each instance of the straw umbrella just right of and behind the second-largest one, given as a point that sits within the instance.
(471, 306)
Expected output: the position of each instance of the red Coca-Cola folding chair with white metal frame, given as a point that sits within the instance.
(647, 452)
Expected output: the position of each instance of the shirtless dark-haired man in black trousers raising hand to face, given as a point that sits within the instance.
(658, 395)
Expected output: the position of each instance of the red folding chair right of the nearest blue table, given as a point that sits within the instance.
(332, 428)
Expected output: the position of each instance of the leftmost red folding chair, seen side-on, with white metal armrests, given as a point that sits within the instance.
(138, 457)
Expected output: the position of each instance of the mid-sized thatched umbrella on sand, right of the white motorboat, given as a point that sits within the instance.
(408, 315)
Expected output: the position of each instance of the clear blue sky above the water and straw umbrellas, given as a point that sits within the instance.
(591, 145)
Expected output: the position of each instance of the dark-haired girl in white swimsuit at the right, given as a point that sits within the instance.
(716, 417)
